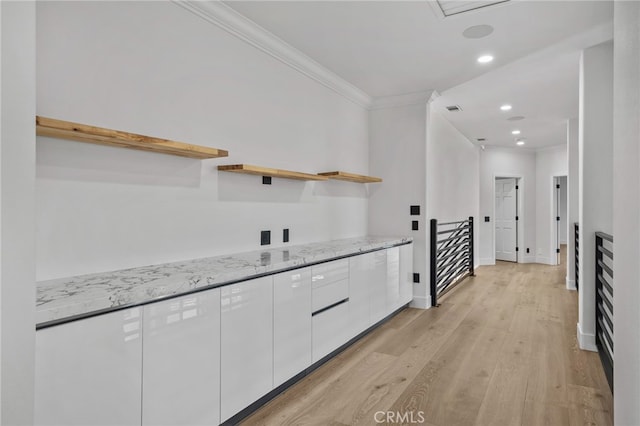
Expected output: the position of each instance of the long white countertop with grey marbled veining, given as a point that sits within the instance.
(63, 299)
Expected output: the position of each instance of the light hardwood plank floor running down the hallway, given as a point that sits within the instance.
(501, 350)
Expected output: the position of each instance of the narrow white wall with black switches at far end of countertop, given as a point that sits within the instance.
(398, 153)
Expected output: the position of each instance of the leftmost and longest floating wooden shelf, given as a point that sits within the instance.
(101, 136)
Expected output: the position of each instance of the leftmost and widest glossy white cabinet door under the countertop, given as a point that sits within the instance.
(89, 372)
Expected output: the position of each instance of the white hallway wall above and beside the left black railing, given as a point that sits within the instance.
(453, 166)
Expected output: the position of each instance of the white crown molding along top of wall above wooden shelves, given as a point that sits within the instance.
(225, 17)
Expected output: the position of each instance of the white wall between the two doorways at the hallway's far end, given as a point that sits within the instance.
(550, 162)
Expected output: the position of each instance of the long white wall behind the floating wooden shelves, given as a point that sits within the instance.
(154, 68)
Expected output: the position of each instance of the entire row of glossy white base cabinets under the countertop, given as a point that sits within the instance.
(204, 357)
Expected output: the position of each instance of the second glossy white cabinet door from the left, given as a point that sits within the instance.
(181, 368)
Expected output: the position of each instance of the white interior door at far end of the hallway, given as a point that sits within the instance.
(505, 221)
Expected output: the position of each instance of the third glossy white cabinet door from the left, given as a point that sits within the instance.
(246, 344)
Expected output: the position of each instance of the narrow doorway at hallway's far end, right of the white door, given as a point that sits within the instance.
(559, 219)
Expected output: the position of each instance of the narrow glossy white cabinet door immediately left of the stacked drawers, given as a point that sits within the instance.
(291, 324)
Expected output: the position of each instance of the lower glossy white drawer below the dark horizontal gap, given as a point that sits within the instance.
(330, 330)
